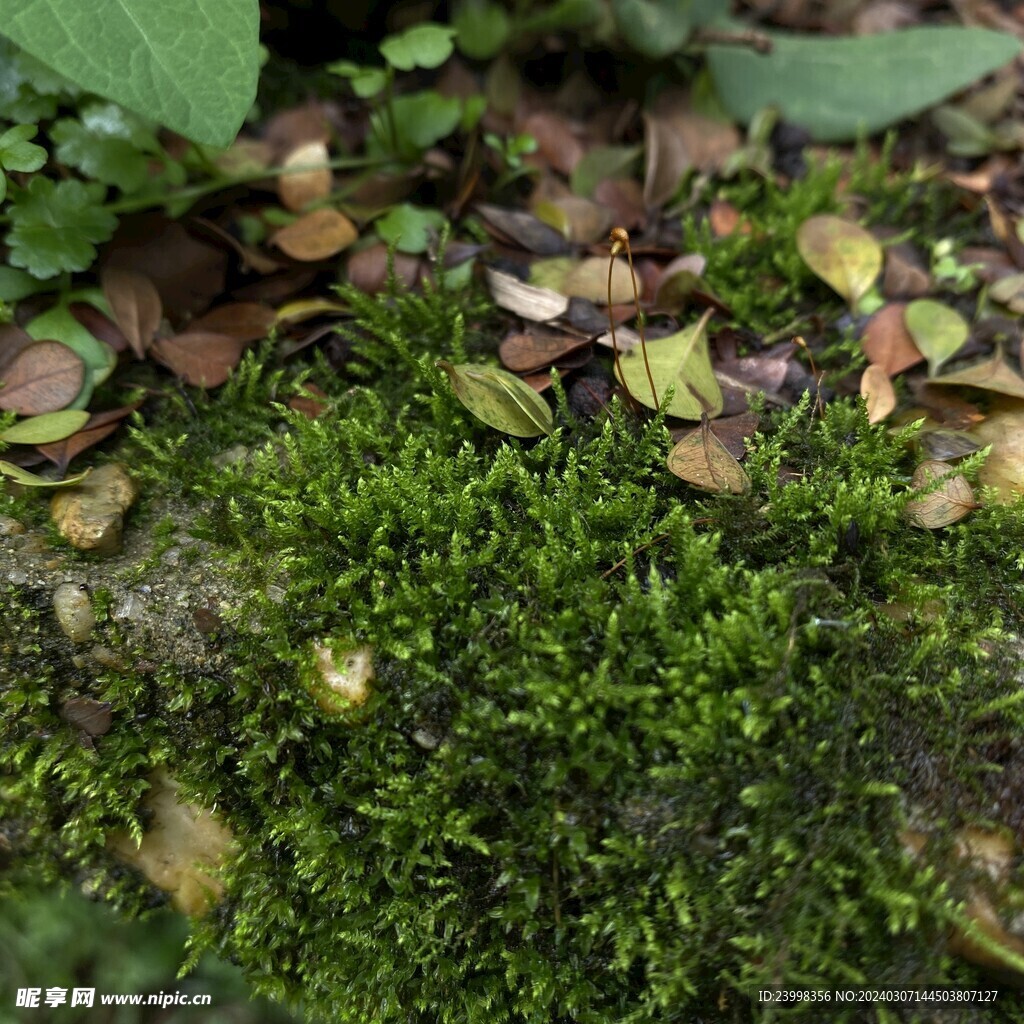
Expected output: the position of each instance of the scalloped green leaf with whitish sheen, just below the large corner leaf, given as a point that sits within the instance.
(107, 145)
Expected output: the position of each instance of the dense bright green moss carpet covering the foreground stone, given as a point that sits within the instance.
(633, 752)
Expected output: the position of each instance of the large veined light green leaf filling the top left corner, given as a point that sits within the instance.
(189, 65)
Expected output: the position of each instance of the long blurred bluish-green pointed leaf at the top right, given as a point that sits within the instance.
(839, 89)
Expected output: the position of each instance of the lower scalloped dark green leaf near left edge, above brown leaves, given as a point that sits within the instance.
(57, 227)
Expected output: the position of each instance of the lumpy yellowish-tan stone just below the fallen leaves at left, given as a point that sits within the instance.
(91, 517)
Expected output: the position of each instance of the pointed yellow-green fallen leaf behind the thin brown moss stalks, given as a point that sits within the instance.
(681, 361)
